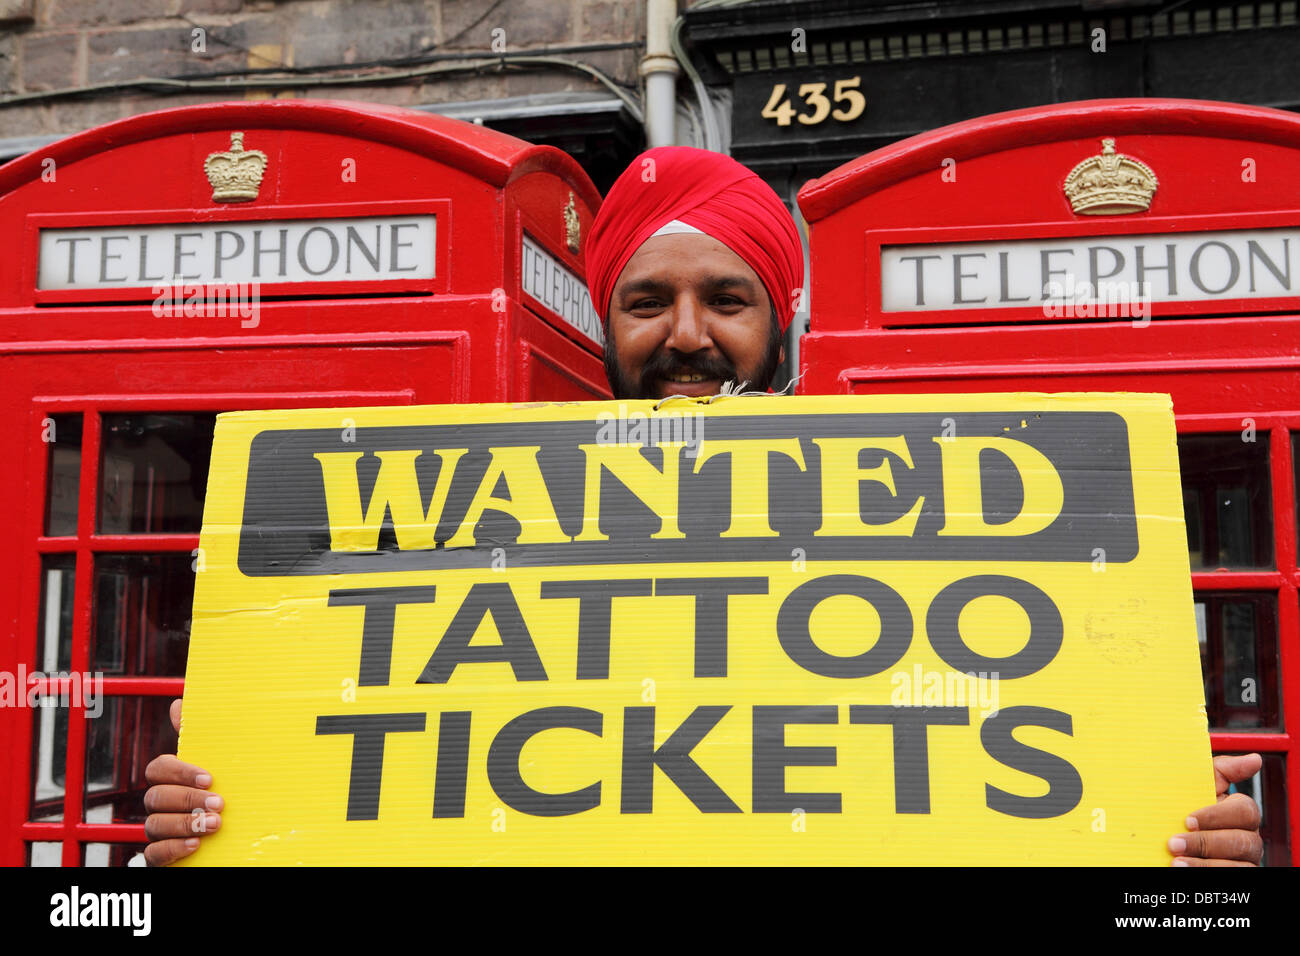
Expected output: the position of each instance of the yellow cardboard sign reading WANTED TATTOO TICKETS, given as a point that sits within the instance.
(817, 630)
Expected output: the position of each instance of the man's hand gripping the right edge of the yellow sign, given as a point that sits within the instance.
(1227, 834)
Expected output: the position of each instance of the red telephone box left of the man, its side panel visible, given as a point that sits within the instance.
(246, 256)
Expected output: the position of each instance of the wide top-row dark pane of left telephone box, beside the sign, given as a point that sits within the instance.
(154, 474)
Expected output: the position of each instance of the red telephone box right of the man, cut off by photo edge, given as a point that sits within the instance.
(1119, 246)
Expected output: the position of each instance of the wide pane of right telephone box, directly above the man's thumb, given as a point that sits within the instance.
(1240, 652)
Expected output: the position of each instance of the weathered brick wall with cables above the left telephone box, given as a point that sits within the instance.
(50, 46)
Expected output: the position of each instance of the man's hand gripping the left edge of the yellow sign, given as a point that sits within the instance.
(181, 808)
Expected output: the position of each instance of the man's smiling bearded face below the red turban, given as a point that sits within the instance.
(688, 314)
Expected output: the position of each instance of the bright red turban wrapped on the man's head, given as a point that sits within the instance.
(713, 193)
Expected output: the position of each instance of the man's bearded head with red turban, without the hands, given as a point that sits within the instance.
(696, 266)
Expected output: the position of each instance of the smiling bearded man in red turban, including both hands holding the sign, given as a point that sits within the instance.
(696, 265)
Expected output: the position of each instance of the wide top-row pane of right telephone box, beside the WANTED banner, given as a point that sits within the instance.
(1227, 500)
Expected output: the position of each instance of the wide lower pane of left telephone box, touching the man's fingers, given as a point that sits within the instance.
(119, 746)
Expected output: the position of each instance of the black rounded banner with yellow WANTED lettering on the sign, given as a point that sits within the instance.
(902, 469)
